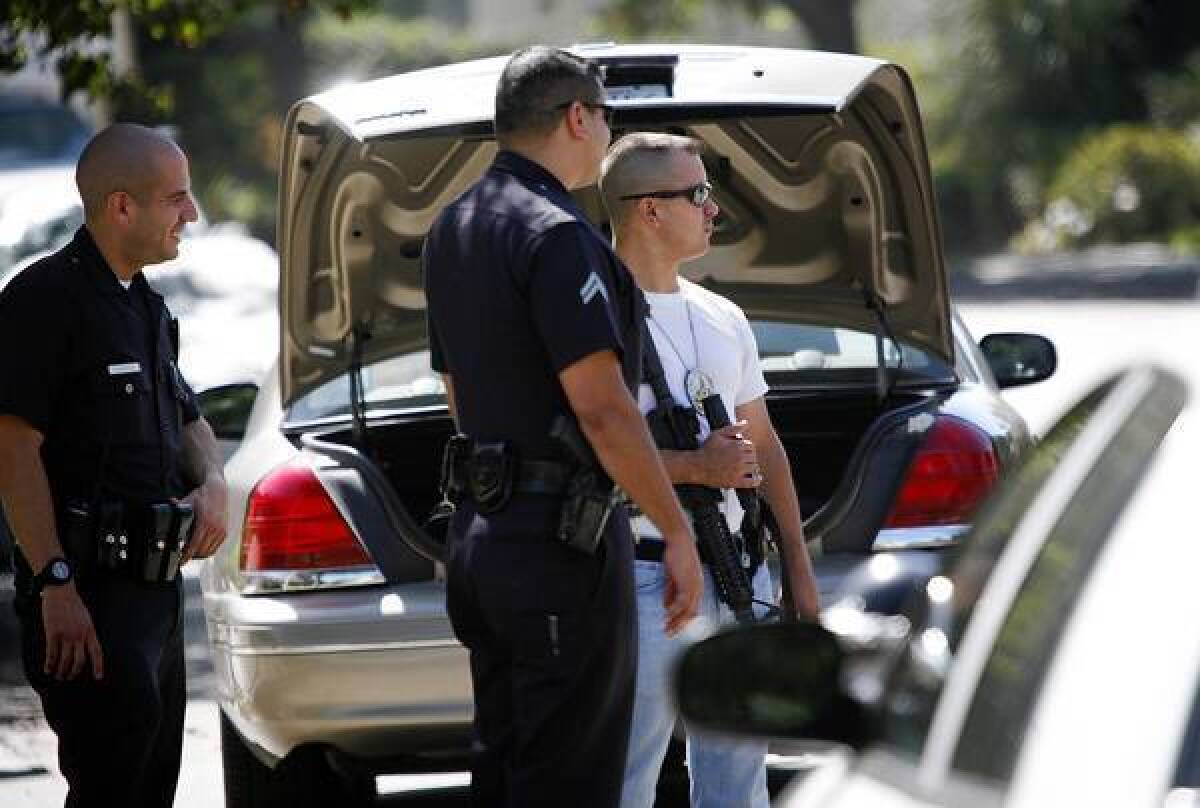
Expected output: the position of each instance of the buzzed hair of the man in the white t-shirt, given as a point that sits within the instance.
(638, 164)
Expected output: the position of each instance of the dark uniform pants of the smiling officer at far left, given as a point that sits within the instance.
(119, 739)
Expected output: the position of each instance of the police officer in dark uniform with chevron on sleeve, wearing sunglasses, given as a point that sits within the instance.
(535, 324)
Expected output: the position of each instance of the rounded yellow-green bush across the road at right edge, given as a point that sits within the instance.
(1126, 183)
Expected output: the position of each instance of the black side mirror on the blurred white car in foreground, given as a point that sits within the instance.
(779, 680)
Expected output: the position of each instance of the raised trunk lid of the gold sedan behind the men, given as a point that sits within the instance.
(818, 161)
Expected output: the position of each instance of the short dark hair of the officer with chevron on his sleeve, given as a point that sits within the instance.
(536, 86)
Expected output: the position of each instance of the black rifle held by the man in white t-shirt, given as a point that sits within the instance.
(677, 428)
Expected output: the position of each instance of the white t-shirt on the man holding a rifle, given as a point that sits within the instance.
(724, 349)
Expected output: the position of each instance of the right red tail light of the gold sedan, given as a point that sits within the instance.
(953, 471)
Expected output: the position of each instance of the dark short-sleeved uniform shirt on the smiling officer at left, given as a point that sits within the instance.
(89, 364)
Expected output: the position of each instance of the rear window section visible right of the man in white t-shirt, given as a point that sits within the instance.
(794, 351)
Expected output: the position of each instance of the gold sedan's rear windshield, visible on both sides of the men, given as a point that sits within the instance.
(793, 355)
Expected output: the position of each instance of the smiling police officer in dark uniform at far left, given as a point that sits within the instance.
(106, 471)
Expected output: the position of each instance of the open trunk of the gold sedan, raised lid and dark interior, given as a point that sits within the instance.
(818, 164)
